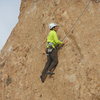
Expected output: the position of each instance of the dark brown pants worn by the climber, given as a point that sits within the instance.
(52, 61)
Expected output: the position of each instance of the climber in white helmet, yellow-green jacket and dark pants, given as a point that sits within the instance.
(51, 50)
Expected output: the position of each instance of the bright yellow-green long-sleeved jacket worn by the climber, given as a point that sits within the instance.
(53, 38)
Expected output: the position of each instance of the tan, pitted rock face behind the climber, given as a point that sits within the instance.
(77, 76)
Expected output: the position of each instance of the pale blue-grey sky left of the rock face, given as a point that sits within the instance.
(9, 12)
